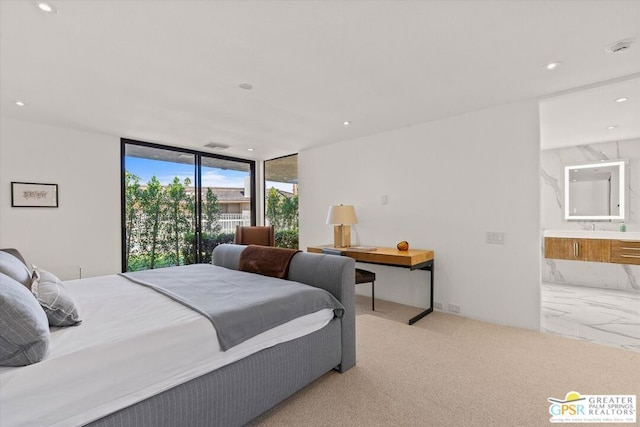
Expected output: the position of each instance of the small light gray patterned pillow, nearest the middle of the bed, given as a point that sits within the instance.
(54, 298)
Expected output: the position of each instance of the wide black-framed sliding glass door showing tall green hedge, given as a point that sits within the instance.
(177, 204)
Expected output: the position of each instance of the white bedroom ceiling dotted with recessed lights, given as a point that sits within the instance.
(168, 71)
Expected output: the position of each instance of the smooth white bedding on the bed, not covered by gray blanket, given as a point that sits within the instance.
(133, 343)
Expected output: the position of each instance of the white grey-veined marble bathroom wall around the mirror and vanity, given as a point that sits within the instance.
(593, 274)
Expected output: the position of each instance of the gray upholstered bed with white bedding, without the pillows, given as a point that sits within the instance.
(157, 363)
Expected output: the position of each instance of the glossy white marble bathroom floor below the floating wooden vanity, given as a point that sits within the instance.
(604, 316)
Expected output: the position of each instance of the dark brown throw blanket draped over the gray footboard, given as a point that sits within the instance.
(267, 260)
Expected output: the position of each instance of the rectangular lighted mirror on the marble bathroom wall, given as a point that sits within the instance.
(595, 191)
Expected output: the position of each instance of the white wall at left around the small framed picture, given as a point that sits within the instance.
(85, 230)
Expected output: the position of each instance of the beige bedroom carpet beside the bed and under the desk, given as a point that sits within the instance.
(451, 371)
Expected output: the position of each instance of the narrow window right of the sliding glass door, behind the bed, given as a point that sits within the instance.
(281, 199)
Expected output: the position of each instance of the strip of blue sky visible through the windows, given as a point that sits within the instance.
(165, 172)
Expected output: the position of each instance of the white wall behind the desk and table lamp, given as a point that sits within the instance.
(448, 182)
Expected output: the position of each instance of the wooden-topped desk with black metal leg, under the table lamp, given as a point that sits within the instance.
(413, 259)
